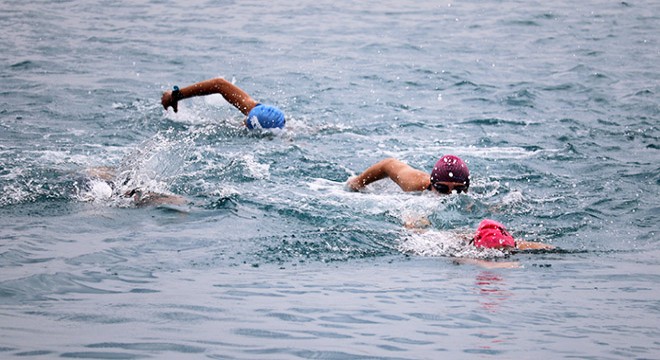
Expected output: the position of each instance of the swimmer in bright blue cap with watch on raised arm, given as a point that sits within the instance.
(258, 115)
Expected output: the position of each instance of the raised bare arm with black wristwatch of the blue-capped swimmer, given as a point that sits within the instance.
(232, 93)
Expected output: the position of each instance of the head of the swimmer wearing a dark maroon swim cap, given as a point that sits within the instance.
(450, 173)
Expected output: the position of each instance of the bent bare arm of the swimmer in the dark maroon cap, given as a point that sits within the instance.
(402, 174)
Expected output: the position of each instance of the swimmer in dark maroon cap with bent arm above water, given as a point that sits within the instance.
(449, 174)
